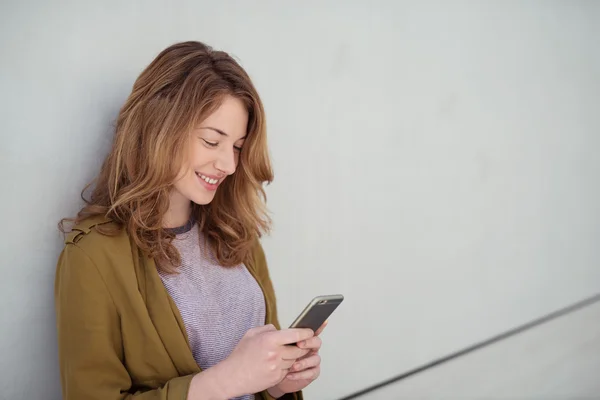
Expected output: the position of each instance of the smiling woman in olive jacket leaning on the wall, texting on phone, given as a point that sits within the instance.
(162, 288)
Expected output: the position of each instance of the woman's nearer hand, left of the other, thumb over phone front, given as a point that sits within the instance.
(262, 359)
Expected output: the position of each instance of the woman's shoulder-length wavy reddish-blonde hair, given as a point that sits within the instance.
(184, 84)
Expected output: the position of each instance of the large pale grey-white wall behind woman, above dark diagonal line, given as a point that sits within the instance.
(435, 162)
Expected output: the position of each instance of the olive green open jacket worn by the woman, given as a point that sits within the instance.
(120, 335)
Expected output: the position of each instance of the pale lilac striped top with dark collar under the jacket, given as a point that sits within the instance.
(218, 305)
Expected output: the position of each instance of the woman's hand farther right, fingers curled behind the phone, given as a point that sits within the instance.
(305, 370)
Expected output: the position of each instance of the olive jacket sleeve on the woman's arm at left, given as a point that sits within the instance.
(89, 340)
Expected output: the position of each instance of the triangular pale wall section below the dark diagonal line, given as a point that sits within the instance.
(556, 360)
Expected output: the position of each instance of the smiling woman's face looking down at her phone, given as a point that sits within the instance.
(213, 153)
